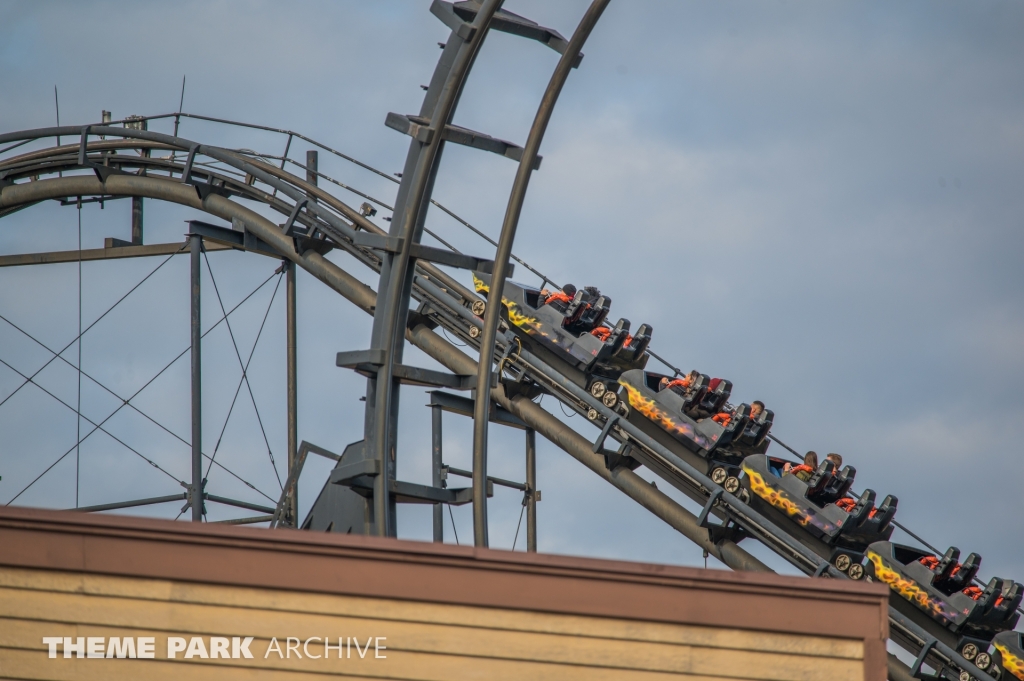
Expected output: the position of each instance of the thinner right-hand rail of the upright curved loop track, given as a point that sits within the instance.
(513, 212)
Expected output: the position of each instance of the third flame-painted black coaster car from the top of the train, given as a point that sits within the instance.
(814, 514)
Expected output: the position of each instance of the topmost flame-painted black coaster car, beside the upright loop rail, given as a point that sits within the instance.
(573, 330)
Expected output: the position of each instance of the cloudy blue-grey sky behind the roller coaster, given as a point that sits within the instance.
(822, 202)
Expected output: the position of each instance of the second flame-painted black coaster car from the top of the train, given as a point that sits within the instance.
(681, 412)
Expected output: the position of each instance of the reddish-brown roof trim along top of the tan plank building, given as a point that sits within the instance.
(438, 573)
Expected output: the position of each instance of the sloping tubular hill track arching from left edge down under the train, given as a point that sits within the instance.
(456, 317)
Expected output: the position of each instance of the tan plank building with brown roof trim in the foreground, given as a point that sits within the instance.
(447, 613)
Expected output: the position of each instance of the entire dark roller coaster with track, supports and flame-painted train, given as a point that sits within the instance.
(741, 491)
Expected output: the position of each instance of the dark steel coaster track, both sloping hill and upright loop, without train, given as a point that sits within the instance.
(107, 161)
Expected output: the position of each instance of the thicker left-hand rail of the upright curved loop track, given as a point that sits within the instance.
(396, 282)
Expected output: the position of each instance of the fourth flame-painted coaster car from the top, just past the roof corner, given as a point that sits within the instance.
(940, 594)
